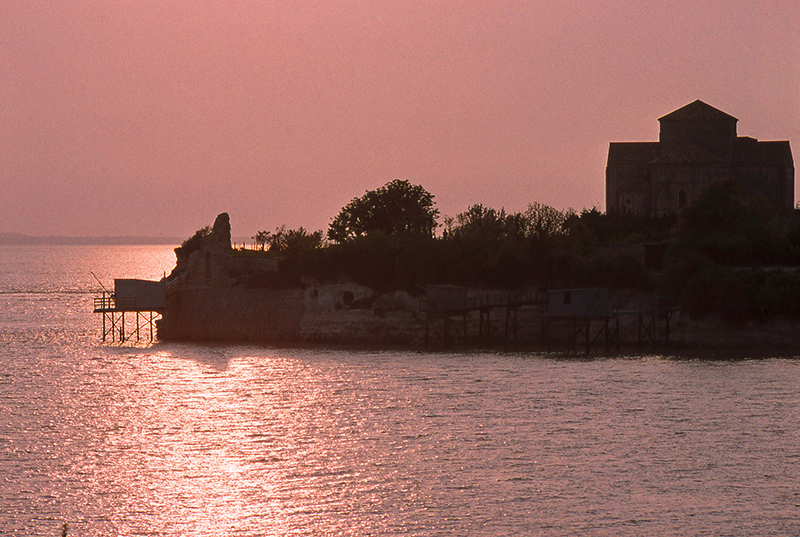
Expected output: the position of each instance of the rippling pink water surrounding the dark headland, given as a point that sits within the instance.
(235, 440)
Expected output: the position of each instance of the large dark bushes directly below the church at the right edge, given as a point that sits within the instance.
(735, 257)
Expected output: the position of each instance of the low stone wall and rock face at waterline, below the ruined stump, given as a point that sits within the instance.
(339, 313)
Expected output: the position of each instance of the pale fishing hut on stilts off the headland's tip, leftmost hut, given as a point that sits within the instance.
(142, 300)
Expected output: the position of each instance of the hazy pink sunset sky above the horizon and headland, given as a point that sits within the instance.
(149, 117)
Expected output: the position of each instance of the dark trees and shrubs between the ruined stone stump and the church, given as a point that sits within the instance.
(391, 238)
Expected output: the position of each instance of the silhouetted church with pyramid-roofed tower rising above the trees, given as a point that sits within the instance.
(697, 146)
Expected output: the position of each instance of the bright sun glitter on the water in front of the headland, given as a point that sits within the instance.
(187, 445)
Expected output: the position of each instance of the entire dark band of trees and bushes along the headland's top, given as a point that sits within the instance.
(392, 238)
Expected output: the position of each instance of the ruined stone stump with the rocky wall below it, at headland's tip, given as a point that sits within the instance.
(208, 299)
